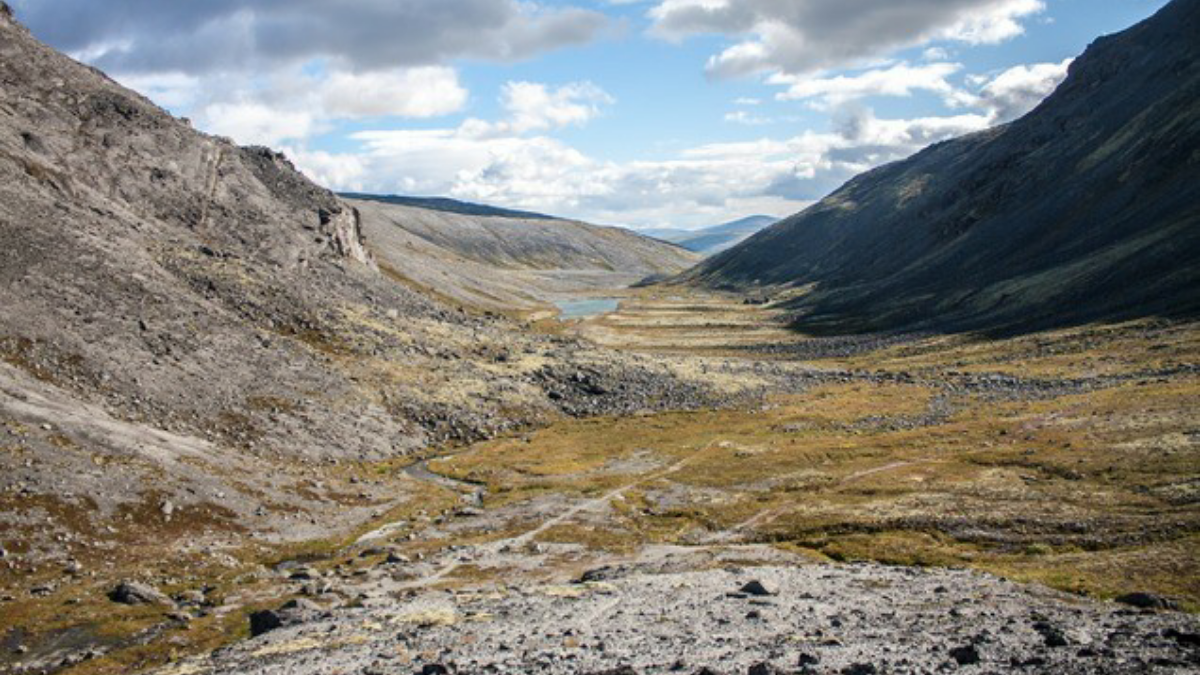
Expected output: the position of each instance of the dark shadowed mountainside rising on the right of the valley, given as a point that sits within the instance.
(1087, 210)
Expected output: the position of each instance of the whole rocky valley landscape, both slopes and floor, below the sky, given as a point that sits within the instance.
(253, 426)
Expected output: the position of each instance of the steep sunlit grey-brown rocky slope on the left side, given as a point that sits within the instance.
(191, 333)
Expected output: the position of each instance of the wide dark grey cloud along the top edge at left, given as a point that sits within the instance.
(219, 35)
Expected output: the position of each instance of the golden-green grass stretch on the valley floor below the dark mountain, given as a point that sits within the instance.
(1094, 493)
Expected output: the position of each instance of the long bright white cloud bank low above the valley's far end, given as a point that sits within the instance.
(518, 165)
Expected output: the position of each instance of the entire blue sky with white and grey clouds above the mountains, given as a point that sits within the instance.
(640, 114)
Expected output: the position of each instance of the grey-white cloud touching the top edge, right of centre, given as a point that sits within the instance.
(805, 37)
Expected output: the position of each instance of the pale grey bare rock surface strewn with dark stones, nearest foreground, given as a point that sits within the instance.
(824, 619)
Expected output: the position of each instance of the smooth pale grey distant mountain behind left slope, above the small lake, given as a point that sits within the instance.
(503, 260)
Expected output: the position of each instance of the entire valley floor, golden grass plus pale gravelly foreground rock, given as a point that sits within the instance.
(893, 493)
